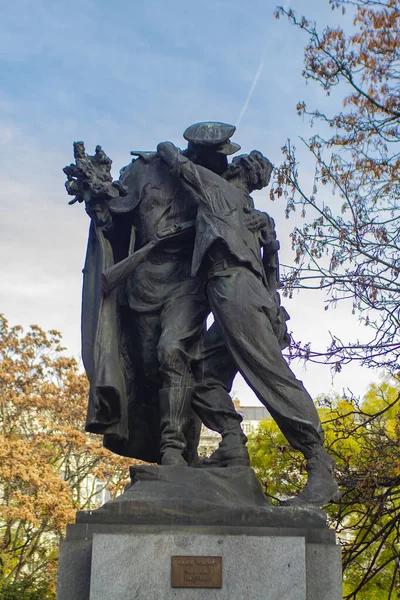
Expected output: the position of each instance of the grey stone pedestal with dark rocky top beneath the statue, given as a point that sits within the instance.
(124, 550)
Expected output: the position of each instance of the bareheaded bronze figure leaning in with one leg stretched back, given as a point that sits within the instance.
(249, 319)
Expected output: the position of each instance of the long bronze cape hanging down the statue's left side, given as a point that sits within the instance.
(117, 407)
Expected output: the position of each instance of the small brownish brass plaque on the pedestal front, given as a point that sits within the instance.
(196, 571)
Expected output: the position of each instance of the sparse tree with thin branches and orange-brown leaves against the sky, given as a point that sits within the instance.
(349, 245)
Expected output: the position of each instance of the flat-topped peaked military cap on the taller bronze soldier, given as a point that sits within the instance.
(211, 133)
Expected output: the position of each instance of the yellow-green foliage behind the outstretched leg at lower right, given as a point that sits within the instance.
(364, 439)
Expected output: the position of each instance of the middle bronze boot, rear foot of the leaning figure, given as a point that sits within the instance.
(231, 452)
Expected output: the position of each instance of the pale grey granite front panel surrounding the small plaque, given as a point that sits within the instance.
(139, 567)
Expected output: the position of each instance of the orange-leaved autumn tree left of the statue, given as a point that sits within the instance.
(49, 467)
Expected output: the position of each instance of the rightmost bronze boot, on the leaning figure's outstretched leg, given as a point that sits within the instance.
(321, 487)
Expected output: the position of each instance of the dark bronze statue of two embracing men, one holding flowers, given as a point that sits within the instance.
(178, 237)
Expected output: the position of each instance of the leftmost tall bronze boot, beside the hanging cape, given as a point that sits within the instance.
(175, 405)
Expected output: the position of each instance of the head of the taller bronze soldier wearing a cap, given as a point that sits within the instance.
(209, 145)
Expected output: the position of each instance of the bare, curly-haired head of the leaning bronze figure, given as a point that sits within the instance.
(251, 171)
